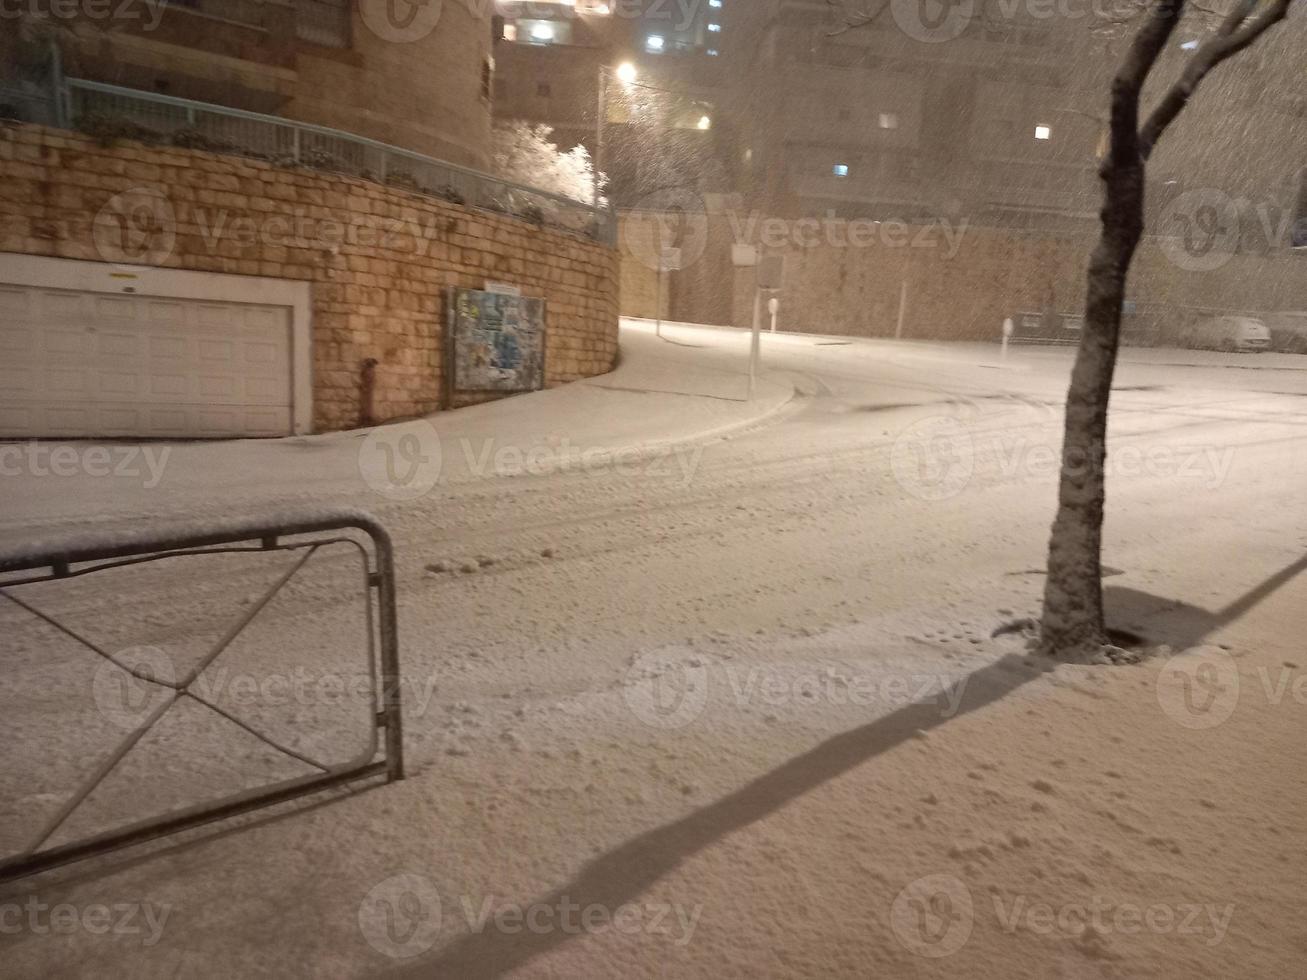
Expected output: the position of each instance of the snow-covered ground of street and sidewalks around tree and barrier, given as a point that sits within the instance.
(717, 693)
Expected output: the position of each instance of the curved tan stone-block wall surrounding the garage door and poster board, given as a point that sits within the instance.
(380, 259)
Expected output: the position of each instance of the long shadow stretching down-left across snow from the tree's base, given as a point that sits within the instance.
(632, 868)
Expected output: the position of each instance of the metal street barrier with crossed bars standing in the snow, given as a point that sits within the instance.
(299, 534)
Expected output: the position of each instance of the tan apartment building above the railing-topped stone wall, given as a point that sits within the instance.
(422, 82)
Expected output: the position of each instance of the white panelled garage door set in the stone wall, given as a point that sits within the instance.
(90, 364)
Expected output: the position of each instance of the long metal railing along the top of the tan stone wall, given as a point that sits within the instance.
(291, 143)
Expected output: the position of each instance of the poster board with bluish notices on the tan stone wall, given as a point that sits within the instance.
(496, 342)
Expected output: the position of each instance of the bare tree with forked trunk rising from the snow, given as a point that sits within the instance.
(1074, 627)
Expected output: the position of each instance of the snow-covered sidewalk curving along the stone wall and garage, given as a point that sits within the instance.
(666, 398)
